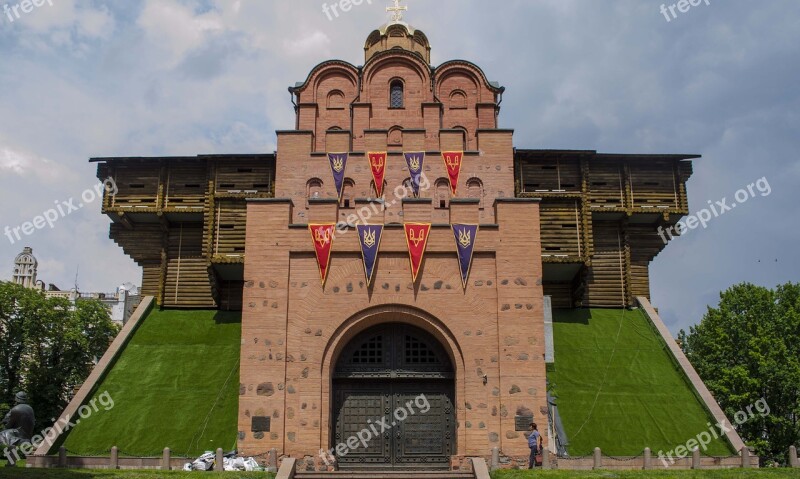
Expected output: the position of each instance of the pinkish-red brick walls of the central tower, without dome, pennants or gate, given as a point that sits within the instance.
(293, 327)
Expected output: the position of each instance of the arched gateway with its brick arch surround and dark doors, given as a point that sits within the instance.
(379, 361)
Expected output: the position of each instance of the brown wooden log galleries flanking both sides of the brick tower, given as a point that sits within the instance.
(183, 220)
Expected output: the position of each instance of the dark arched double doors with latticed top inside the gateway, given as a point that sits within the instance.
(393, 390)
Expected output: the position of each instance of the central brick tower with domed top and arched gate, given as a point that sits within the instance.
(321, 363)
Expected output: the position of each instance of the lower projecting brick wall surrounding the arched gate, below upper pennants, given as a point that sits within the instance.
(293, 328)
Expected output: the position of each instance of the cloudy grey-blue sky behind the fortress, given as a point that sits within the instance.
(83, 78)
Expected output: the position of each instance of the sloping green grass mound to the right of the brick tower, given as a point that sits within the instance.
(618, 388)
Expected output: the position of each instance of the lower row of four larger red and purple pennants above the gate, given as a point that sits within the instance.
(417, 234)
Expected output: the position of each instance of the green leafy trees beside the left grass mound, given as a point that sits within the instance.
(47, 346)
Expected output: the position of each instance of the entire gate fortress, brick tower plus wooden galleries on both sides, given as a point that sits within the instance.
(318, 363)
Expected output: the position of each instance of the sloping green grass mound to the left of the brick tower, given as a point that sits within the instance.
(176, 385)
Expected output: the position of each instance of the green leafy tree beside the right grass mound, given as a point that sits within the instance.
(748, 349)
